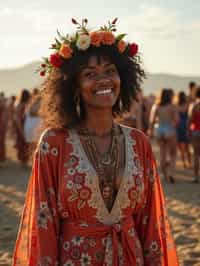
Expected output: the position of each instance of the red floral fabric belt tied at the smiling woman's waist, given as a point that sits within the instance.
(118, 232)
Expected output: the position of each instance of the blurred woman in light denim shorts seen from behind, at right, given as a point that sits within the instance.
(165, 114)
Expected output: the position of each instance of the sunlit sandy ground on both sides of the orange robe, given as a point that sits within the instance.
(183, 201)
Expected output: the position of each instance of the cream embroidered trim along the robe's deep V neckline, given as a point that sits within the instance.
(132, 178)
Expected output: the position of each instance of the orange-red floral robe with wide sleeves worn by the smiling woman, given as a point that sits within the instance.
(65, 221)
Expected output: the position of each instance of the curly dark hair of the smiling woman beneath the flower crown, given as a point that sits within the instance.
(60, 88)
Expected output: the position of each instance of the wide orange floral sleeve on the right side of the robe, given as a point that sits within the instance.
(152, 223)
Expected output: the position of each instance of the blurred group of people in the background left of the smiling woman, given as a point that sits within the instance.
(20, 122)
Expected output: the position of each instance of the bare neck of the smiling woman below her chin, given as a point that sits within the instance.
(98, 122)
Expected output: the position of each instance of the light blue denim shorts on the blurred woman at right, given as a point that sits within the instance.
(164, 130)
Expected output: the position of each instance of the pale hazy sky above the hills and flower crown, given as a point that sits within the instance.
(167, 31)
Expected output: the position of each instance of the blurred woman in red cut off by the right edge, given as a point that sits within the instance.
(194, 131)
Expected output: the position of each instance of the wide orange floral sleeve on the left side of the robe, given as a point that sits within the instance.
(37, 241)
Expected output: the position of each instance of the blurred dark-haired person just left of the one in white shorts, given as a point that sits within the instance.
(19, 118)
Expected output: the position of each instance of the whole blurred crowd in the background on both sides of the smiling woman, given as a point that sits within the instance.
(172, 119)
